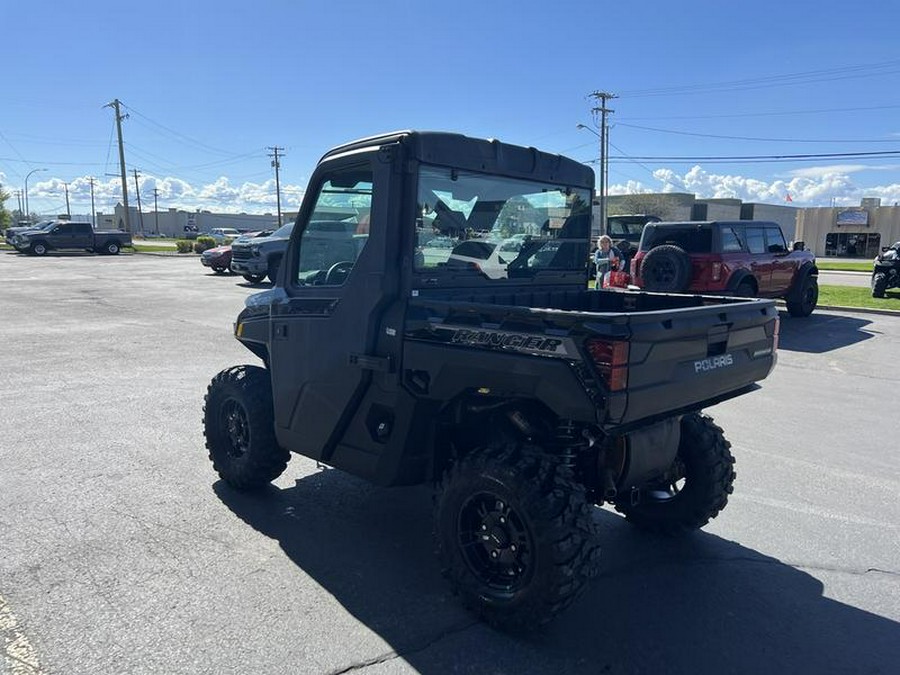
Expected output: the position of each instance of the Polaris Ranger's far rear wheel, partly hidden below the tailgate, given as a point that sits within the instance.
(696, 488)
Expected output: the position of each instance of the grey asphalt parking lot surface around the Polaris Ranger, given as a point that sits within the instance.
(122, 553)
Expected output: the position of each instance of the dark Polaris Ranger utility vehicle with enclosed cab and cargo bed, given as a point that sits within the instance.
(441, 332)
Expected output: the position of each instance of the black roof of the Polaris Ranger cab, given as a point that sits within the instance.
(477, 154)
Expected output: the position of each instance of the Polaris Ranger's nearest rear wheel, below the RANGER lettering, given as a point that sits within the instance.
(514, 535)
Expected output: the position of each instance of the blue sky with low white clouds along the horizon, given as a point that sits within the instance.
(208, 86)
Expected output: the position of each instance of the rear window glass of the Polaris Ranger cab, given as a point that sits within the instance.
(498, 227)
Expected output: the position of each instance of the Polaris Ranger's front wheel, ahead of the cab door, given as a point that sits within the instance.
(239, 426)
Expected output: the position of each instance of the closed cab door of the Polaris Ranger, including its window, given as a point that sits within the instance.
(327, 314)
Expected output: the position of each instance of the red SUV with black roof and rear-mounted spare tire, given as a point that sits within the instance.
(746, 258)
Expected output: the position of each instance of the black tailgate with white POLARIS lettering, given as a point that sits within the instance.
(690, 358)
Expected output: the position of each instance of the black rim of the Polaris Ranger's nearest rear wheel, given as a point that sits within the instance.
(495, 543)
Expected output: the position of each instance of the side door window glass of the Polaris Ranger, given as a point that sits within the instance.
(338, 227)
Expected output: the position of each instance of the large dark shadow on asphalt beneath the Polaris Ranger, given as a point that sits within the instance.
(700, 604)
